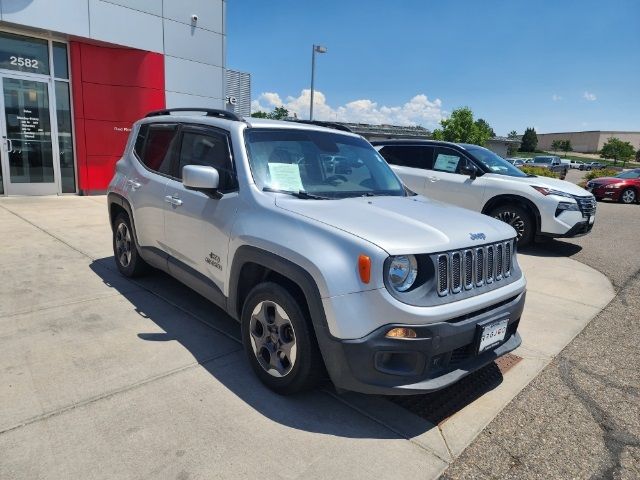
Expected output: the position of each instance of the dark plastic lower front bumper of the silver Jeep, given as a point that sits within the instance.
(443, 353)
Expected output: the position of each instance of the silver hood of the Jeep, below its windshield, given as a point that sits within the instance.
(402, 225)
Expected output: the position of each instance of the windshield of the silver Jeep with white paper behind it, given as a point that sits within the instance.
(324, 164)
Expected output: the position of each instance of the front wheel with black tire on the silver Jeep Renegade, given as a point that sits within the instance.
(307, 368)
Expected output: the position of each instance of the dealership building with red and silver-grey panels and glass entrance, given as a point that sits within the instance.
(76, 74)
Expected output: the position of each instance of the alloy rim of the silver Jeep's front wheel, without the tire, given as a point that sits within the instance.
(273, 338)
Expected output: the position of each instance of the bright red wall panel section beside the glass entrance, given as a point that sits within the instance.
(111, 88)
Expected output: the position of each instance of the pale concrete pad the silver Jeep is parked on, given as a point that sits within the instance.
(104, 377)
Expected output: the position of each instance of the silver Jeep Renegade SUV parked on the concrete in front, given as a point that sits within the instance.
(306, 236)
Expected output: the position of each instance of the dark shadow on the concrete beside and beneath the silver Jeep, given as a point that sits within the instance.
(317, 411)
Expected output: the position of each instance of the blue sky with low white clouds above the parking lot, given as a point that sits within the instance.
(557, 65)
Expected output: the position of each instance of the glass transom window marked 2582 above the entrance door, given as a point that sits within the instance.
(24, 54)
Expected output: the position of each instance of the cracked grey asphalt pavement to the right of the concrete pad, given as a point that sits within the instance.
(580, 418)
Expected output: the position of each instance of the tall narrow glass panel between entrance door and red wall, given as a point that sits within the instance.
(65, 138)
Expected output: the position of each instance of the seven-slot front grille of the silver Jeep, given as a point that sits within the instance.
(466, 269)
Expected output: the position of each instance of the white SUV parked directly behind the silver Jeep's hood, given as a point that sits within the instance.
(476, 178)
